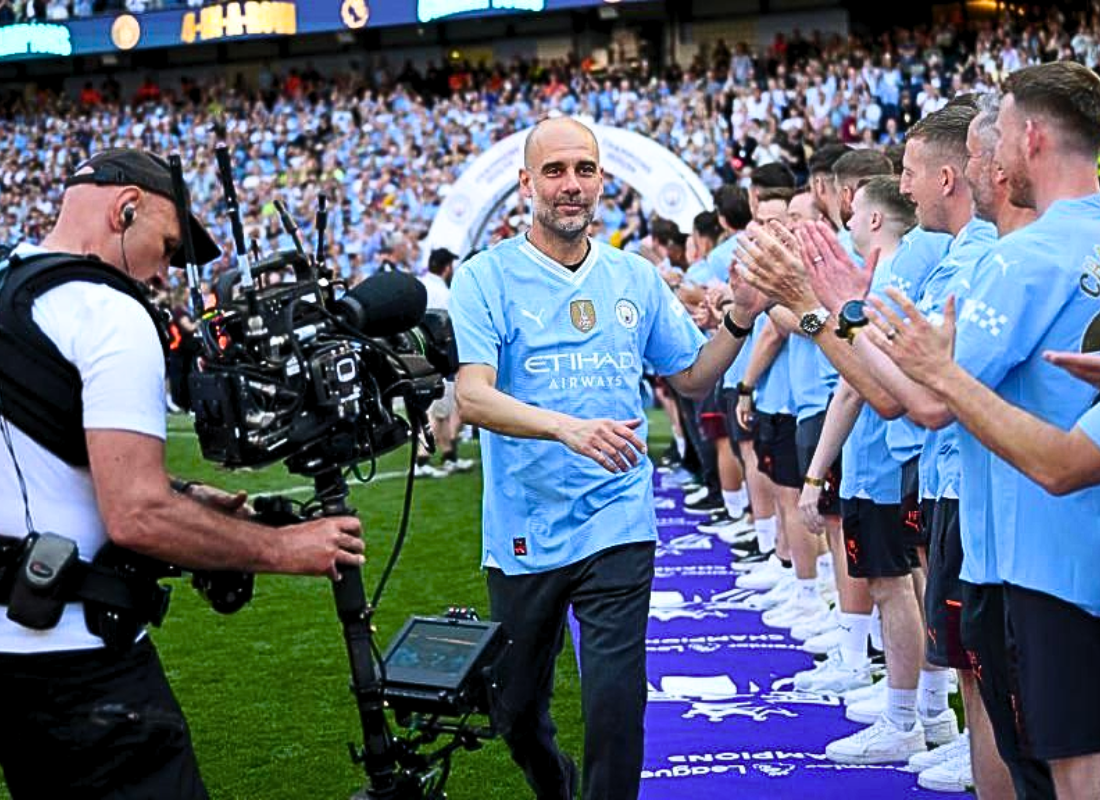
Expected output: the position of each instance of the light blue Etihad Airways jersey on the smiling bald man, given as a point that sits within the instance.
(574, 343)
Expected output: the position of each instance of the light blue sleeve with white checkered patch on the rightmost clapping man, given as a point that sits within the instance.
(1014, 304)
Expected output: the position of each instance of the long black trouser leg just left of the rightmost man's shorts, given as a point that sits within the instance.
(982, 630)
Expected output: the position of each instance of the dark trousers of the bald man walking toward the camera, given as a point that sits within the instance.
(610, 595)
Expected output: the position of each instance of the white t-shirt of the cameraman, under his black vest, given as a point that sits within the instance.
(114, 344)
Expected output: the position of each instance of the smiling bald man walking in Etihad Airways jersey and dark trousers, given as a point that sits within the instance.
(553, 332)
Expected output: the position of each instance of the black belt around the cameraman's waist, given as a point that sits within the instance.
(146, 599)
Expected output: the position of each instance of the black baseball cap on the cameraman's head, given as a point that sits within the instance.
(124, 167)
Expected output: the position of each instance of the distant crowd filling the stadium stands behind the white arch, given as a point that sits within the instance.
(387, 144)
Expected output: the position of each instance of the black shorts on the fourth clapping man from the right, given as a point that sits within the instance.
(874, 540)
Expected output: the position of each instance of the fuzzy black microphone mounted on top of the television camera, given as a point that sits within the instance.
(386, 304)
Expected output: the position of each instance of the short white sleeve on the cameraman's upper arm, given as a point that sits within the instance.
(113, 343)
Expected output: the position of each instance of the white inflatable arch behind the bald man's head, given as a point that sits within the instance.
(665, 182)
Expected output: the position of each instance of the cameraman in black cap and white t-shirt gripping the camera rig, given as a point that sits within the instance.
(83, 719)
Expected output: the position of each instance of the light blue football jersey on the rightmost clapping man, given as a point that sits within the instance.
(1039, 289)
